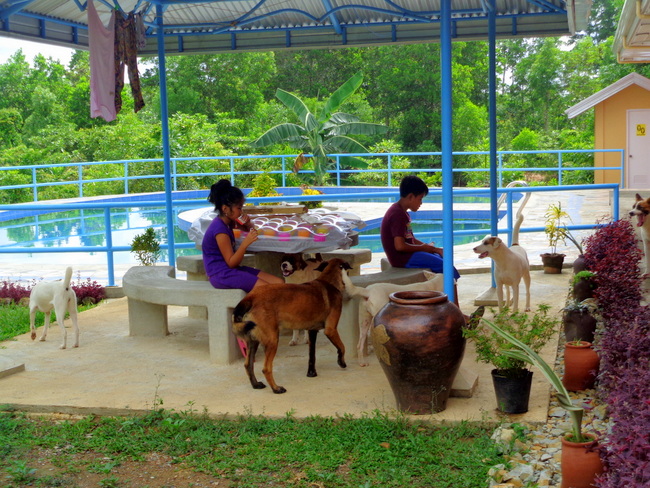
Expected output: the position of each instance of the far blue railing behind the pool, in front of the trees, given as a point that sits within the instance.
(41, 175)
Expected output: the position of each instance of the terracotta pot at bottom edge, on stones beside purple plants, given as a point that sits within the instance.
(581, 463)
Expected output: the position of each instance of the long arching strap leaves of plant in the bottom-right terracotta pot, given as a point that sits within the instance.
(525, 353)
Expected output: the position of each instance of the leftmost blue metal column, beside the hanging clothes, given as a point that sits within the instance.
(164, 120)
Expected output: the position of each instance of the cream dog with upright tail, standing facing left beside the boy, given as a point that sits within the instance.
(510, 267)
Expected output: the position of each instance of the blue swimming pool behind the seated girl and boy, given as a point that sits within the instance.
(57, 231)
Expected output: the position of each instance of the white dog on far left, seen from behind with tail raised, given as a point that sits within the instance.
(58, 296)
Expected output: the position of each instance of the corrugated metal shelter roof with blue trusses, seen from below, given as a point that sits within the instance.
(219, 25)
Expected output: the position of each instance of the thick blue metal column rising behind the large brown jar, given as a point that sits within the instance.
(447, 149)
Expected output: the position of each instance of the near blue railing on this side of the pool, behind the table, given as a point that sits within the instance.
(110, 249)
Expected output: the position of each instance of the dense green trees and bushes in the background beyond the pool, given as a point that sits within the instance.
(219, 103)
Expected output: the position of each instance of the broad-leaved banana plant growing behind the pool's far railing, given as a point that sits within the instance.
(322, 134)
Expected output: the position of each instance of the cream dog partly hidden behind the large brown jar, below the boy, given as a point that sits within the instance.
(377, 295)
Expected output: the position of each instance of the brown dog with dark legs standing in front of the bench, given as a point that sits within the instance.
(313, 306)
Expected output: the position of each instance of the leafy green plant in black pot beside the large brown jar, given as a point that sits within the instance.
(511, 377)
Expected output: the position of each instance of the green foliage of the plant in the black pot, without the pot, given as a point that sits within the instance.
(532, 329)
